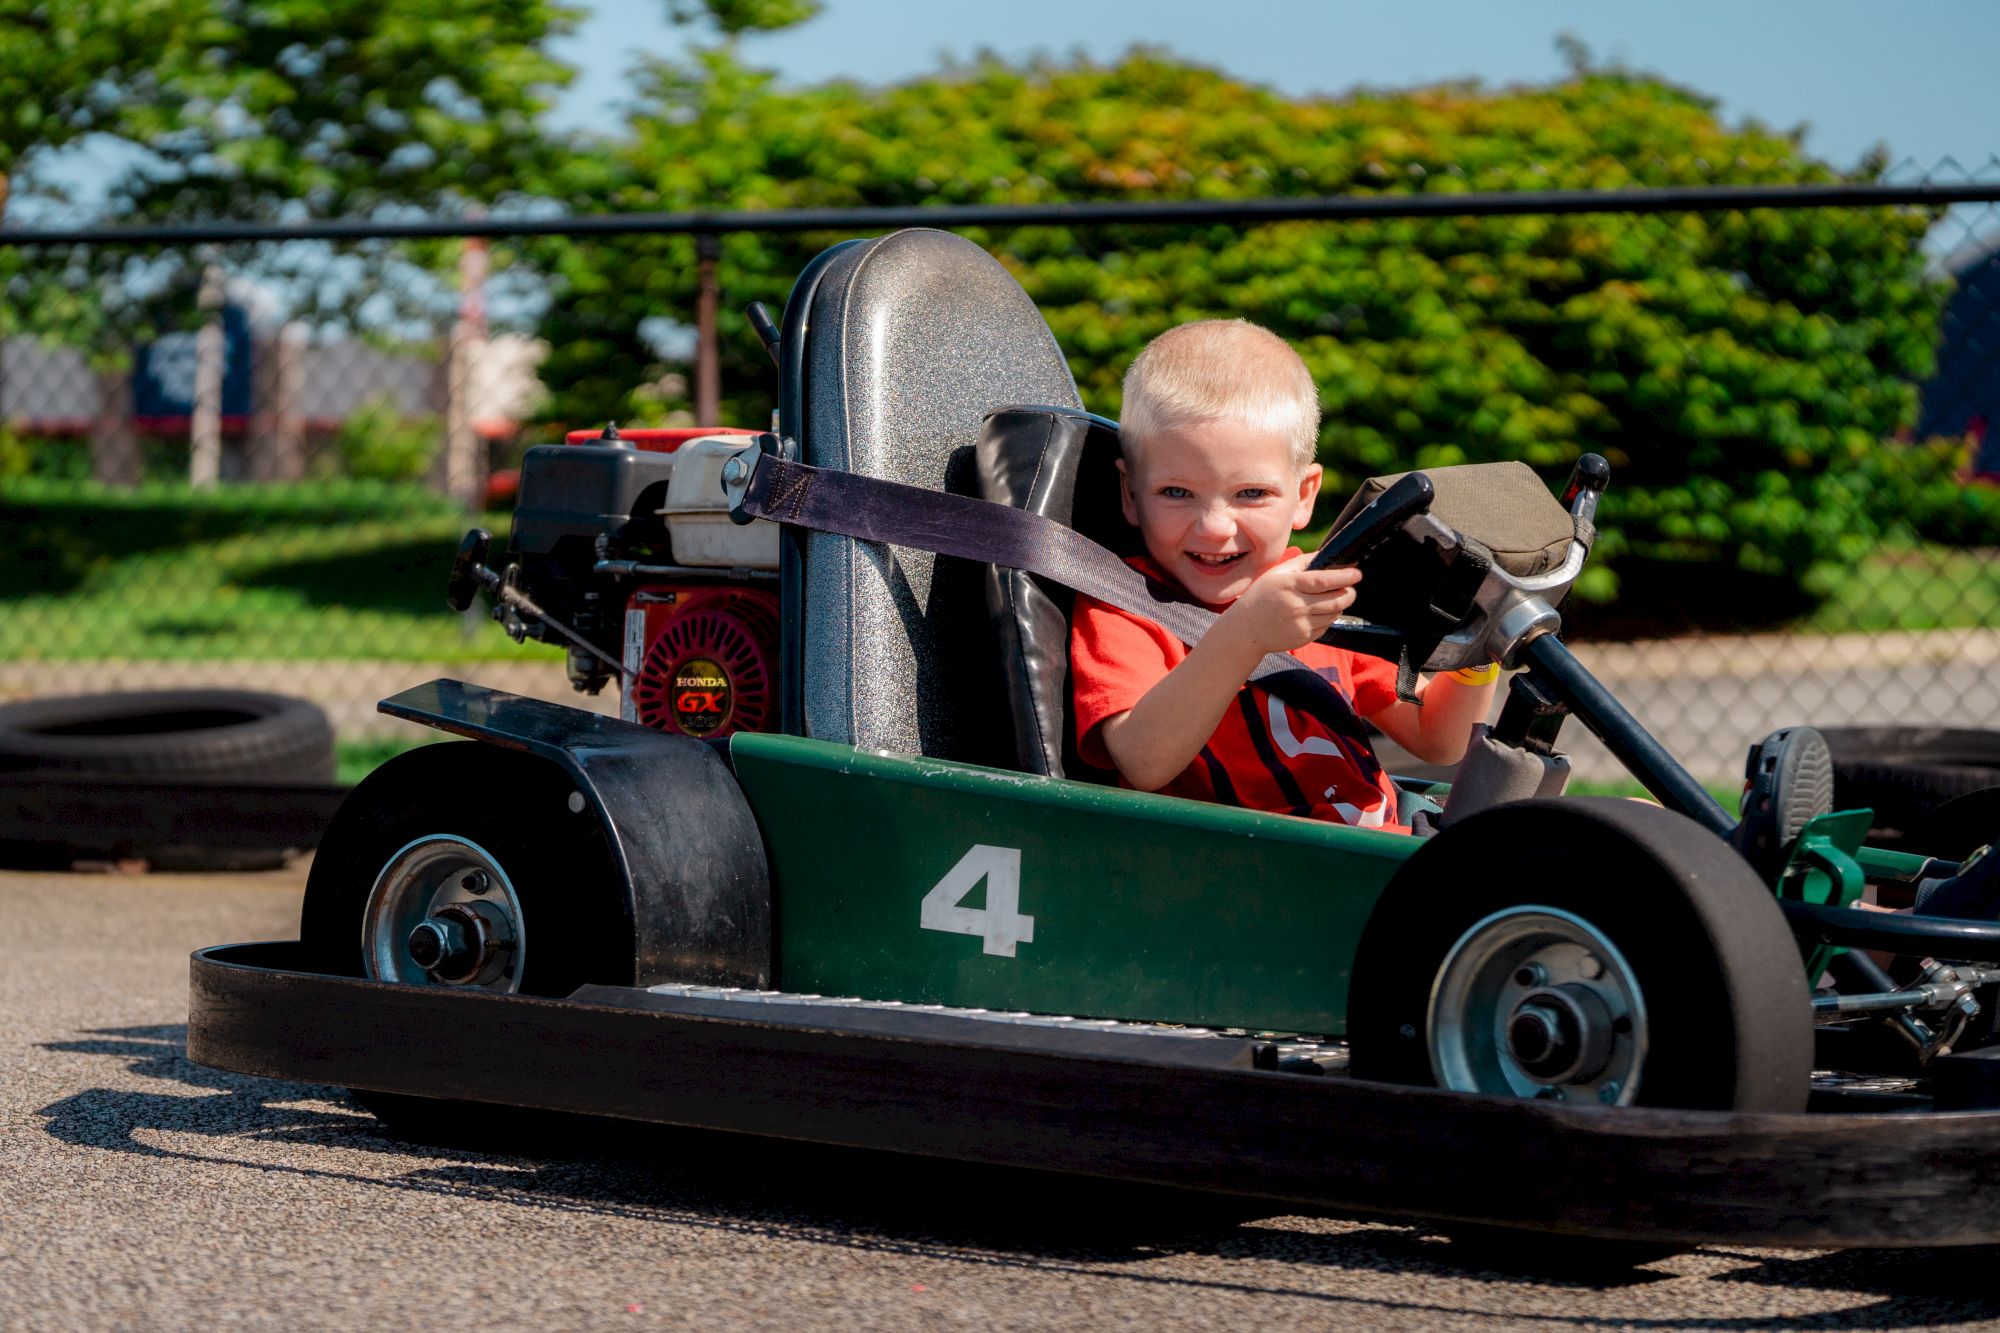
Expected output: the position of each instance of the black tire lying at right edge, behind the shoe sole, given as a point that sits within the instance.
(1903, 774)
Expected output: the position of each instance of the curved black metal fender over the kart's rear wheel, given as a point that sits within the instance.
(689, 854)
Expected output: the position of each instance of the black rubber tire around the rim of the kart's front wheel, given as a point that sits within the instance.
(1729, 1010)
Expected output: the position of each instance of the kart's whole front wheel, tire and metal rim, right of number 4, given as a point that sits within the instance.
(1587, 950)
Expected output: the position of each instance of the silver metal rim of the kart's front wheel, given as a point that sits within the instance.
(1479, 992)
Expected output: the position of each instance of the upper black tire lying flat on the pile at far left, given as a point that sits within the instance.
(167, 736)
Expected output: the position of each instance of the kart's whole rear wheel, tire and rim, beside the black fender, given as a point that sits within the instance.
(467, 866)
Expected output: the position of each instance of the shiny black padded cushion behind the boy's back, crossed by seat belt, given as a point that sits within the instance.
(1059, 463)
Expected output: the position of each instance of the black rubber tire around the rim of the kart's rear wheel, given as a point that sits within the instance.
(517, 808)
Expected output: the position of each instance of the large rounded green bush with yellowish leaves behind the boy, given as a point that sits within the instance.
(1739, 369)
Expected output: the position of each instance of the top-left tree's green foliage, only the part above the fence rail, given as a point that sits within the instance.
(265, 107)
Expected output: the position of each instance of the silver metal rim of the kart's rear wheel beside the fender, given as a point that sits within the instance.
(423, 878)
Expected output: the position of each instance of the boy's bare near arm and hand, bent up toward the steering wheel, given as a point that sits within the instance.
(1285, 609)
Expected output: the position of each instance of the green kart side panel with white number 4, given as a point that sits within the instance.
(945, 884)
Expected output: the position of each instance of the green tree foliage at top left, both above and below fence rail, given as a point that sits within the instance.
(261, 109)
